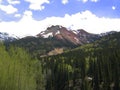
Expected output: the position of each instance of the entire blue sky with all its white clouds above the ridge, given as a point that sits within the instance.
(29, 17)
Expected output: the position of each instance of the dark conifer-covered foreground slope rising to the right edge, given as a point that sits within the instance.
(90, 67)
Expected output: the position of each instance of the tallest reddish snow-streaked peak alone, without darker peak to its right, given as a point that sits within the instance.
(61, 33)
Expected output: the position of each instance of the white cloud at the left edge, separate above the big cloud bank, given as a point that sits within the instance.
(9, 9)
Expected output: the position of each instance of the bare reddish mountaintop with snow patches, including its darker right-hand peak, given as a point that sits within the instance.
(77, 37)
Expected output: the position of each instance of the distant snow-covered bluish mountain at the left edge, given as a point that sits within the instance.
(7, 37)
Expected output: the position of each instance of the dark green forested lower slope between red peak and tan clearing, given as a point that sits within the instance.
(38, 46)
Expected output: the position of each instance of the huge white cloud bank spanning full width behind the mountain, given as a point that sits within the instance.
(84, 20)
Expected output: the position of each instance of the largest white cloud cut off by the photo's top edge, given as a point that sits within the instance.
(37, 4)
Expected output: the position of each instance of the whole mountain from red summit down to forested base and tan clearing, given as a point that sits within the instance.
(55, 40)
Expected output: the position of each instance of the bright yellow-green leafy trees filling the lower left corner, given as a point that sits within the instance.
(18, 71)
